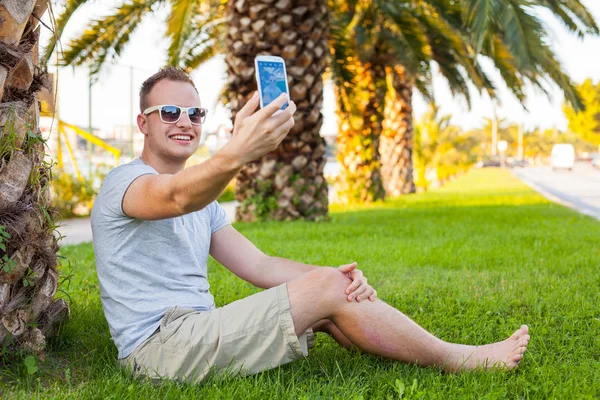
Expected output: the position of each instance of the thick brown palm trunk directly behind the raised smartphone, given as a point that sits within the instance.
(287, 183)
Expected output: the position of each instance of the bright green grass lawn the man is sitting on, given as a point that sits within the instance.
(469, 262)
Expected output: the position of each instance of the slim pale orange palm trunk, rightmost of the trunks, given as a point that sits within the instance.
(396, 145)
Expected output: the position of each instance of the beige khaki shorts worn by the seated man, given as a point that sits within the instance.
(244, 337)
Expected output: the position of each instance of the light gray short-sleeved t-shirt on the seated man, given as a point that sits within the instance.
(145, 267)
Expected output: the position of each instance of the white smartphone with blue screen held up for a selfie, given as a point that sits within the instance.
(271, 78)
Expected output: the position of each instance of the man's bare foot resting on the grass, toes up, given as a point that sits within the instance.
(506, 354)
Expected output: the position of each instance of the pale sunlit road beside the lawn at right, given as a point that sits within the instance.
(578, 189)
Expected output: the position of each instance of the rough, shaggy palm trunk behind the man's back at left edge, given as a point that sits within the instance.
(28, 262)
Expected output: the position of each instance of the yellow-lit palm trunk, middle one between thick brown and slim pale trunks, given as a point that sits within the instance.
(358, 88)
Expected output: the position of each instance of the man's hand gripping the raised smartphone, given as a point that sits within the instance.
(258, 133)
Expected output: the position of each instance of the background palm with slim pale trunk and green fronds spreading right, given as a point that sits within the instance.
(505, 32)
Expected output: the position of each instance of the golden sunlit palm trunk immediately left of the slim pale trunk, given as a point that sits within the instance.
(359, 133)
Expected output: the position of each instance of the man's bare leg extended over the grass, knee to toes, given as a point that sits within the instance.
(377, 328)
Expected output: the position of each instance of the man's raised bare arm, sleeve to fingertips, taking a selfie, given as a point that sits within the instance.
(152, 197)
